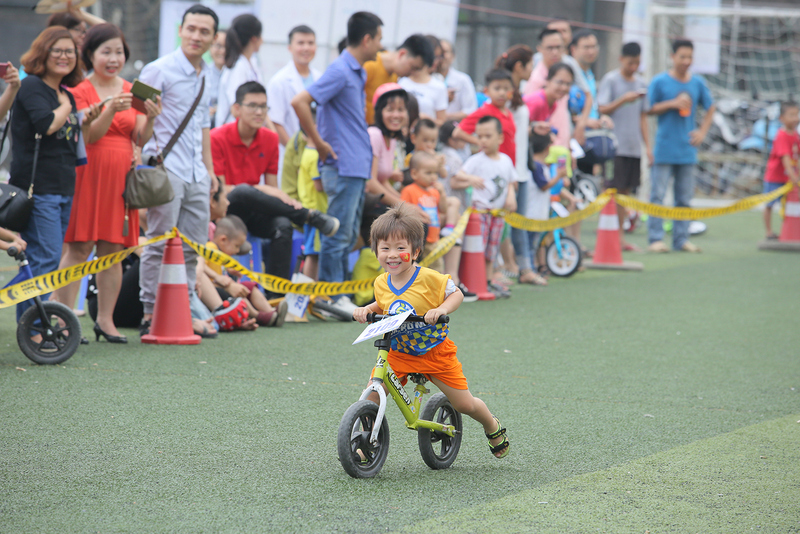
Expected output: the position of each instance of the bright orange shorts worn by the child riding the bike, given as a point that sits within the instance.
(440, 362)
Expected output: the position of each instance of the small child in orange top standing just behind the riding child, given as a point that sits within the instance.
(427, 193)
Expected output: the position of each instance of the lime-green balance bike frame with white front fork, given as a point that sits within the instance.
(382, 375)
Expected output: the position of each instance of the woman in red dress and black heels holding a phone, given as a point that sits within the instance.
(99, 217)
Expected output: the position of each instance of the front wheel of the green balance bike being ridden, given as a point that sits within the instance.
(353, 438)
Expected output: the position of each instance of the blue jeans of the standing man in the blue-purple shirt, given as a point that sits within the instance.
(346, 203)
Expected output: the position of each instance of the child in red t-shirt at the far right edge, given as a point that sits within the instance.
(783, 159)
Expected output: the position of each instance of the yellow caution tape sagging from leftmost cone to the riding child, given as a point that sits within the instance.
(275, 283)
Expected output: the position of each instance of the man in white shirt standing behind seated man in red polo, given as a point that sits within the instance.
(292, 79)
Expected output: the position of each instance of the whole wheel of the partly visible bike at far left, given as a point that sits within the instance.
(60, 334)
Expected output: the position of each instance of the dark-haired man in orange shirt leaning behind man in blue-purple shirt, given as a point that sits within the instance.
(415, 53)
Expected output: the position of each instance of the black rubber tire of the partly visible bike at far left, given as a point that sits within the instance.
(32, 350)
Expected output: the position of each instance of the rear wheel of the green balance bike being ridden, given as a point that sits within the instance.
(439, 450)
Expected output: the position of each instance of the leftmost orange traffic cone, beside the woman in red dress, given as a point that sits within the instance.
(172, 319)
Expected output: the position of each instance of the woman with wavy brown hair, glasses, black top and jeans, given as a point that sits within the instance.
(45, 108)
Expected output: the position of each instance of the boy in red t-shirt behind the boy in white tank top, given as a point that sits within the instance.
(499, 88)
